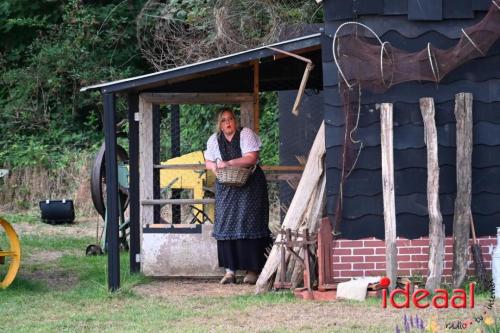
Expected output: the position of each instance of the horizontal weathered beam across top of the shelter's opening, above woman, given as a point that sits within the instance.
(197, 98)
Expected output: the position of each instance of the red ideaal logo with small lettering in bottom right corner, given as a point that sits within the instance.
(458, 298)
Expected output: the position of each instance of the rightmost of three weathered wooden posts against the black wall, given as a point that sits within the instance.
(461, 219)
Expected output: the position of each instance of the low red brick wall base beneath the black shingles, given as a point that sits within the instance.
(366, 257)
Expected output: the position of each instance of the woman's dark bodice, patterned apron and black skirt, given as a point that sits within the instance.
(241, 216)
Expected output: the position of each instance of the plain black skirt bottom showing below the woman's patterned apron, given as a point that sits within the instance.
(243, 254)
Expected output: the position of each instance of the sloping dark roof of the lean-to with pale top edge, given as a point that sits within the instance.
(232, 72)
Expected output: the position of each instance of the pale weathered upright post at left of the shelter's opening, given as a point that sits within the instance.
(145, 159)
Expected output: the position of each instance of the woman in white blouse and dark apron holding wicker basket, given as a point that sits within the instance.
(241, 213)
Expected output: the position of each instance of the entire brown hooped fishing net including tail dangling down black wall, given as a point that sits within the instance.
(366, 62)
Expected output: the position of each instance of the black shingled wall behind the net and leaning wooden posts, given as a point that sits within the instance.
(410, 28)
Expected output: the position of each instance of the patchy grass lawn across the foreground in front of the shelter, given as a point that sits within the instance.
(59, 289)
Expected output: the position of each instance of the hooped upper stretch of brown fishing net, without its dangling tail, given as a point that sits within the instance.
(362, 58)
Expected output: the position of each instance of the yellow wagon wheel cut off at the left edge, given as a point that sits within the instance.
(14, 252)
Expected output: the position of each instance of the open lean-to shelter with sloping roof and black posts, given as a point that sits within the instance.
(237, 78)
